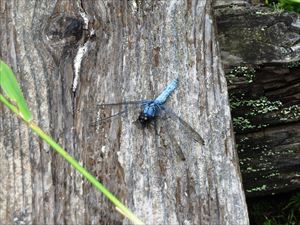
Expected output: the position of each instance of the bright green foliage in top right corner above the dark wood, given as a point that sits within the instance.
(288, 5)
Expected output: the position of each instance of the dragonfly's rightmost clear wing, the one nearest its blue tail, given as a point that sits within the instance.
(191, 131)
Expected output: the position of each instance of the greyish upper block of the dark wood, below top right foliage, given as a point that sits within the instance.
(257, 35)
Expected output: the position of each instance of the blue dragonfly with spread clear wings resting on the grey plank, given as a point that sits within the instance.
(150, 110)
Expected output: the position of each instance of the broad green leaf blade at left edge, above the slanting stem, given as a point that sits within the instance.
(12, 91)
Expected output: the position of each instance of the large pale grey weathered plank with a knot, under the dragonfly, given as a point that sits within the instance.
(132, 49)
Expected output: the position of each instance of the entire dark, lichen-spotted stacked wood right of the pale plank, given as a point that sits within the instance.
(265, 103)
